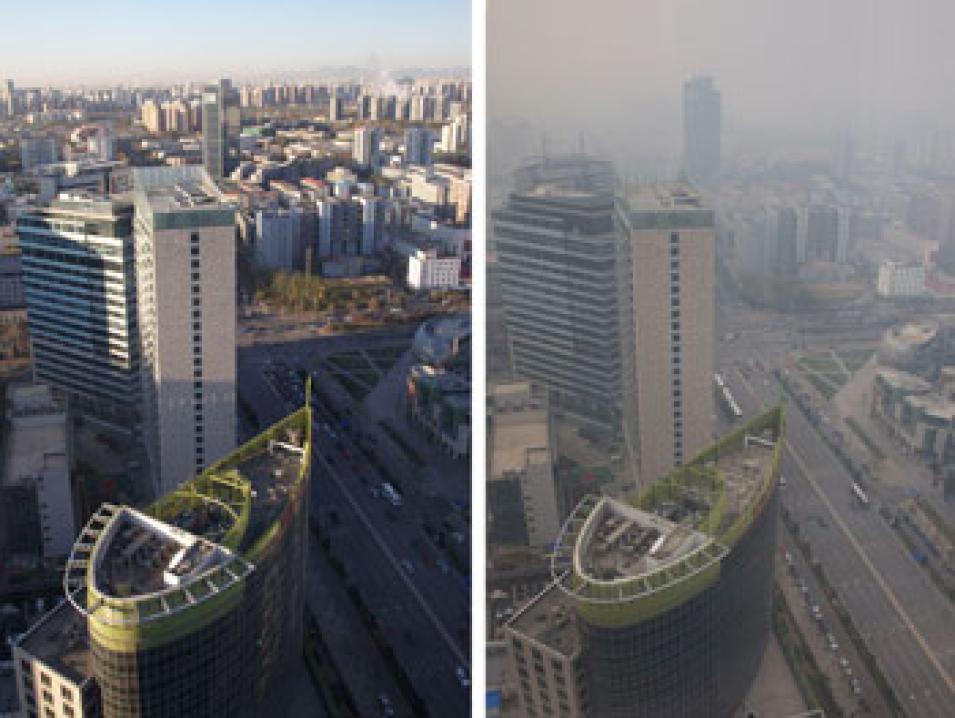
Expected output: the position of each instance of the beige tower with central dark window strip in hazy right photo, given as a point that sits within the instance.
(672, 254)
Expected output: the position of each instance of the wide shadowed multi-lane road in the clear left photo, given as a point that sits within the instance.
(419, 601)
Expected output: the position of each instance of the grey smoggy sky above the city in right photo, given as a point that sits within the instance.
(616, 67)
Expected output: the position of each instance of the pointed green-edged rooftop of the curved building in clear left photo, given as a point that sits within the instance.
(194, 542)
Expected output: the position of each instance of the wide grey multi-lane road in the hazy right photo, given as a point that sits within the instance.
(905, 620)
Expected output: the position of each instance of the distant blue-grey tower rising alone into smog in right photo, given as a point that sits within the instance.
(701, 131)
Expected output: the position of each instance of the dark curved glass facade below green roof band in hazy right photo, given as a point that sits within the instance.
(699, 659)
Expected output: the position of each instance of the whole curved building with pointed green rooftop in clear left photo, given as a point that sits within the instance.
(191, 607)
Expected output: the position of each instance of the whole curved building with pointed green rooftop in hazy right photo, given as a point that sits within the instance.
(660, 605)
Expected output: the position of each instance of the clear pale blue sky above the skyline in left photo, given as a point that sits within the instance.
(64, 41)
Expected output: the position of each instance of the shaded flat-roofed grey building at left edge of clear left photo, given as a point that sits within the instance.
(39, 456)
